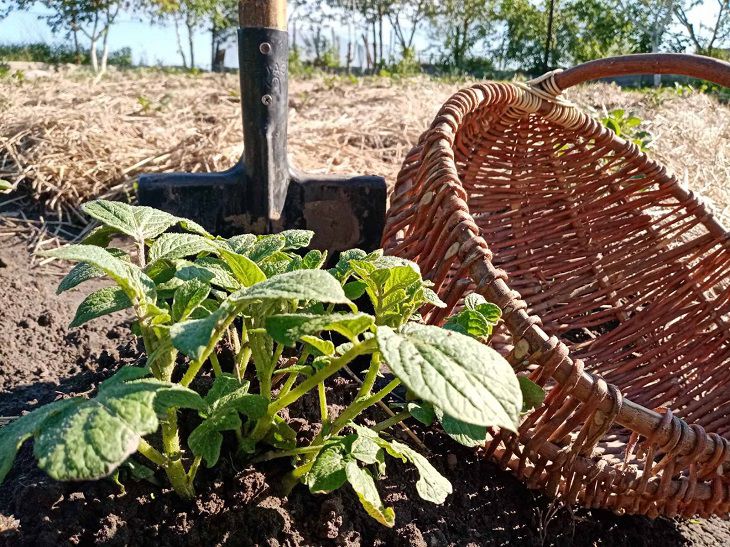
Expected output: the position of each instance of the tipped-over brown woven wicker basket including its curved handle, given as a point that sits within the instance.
(613, 280)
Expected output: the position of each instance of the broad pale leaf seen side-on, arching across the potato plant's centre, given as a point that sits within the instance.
(297, 285)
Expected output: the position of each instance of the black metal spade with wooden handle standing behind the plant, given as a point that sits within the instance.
(261, 193)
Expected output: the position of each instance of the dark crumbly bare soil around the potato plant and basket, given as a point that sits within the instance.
(41, 360)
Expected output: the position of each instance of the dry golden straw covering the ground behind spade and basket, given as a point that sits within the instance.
(67, 139)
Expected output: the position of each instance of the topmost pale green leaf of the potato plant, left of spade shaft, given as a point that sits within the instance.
(136, 221)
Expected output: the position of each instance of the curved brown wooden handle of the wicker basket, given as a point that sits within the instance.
(694, 66)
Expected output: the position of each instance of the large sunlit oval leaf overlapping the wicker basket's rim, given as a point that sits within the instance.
(466, 379)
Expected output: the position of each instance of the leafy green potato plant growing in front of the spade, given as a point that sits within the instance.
(291, 325)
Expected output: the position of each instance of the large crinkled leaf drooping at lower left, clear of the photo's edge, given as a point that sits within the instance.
(91, 439)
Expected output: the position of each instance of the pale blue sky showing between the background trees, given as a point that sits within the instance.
(156, 44)
